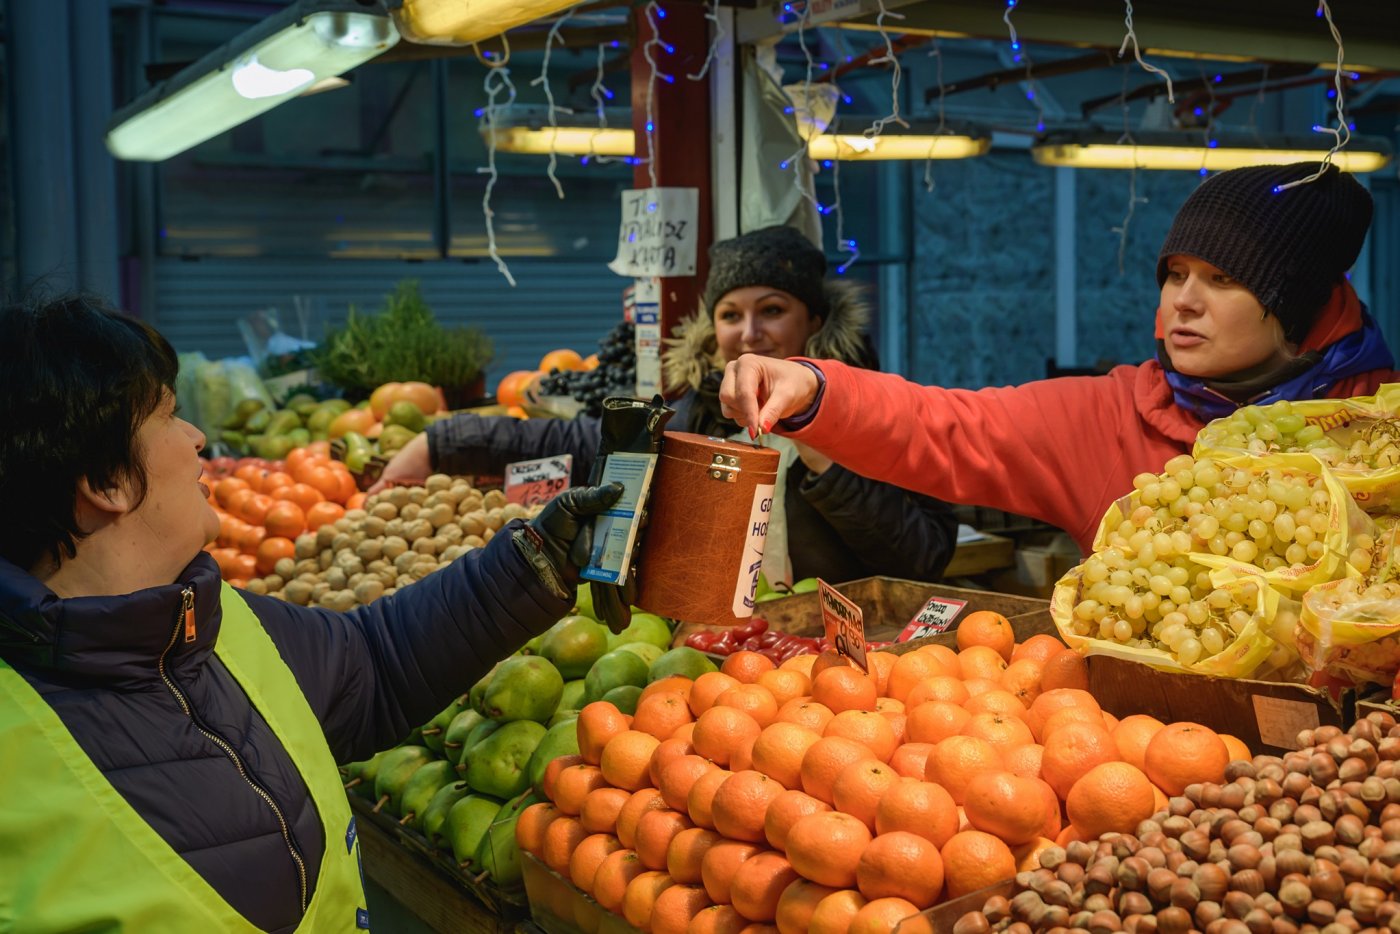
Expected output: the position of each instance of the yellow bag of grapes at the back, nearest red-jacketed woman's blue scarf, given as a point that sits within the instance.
(1359, 439)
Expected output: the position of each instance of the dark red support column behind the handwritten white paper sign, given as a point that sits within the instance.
(681, 131)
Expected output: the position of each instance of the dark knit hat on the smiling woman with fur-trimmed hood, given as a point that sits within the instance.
(776, 257)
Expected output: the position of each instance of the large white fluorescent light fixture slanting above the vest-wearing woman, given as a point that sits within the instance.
(274, 62)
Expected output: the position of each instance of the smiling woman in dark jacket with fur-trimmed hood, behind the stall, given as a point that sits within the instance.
(766, 295)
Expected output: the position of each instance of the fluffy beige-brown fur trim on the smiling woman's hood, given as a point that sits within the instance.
(692, 354)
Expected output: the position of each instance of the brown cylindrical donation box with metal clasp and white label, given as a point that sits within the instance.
(709, 509)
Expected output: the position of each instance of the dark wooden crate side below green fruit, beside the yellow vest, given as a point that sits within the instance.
(428, 881)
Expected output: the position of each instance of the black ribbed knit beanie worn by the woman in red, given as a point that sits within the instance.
(1287, 247)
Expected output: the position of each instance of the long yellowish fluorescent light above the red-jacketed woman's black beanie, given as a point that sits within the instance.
(1182, 151)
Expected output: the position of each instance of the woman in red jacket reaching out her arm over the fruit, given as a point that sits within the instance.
(1255, 309)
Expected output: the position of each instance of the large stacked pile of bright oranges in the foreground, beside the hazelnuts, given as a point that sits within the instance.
(817, 797)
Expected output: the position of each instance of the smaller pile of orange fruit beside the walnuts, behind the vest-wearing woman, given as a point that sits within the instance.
(264, 506)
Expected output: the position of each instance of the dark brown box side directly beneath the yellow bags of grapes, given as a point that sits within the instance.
(1265, 715)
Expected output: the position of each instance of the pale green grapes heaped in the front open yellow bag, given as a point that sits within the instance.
(1143, 589)
